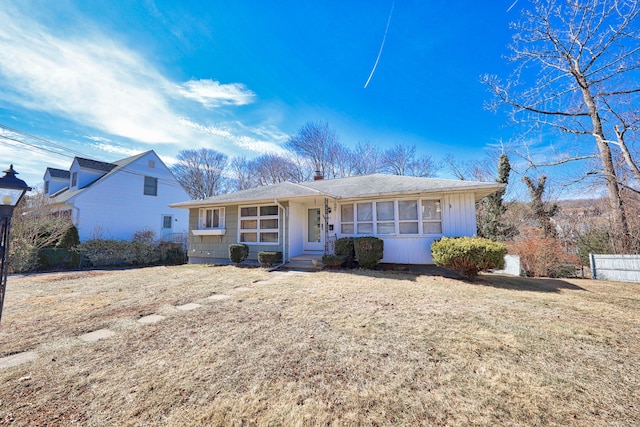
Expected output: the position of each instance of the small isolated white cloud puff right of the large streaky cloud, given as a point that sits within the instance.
(214, 94)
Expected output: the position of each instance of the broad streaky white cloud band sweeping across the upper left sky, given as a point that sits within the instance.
(102, 84)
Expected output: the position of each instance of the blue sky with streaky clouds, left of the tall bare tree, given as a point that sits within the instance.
(108, 79)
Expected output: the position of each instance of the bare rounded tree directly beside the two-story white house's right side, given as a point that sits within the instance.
(201, 172)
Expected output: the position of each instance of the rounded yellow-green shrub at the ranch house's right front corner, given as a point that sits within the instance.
(468, 255)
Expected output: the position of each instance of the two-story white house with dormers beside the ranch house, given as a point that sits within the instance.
(115, 200)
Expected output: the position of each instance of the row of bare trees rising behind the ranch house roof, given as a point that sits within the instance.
(315, 148)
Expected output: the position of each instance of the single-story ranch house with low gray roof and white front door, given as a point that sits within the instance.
(408, 213)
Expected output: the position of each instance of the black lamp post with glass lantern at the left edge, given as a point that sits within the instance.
(11, 191)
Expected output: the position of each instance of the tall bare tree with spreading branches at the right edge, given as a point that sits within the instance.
(577, 70)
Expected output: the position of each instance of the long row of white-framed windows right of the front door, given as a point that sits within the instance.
(391, 217)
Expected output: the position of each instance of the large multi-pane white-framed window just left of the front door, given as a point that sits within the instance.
(259, 224)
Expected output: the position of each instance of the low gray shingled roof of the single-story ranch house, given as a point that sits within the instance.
(365, 186)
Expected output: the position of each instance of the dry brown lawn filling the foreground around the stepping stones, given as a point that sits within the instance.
(328, 348)
